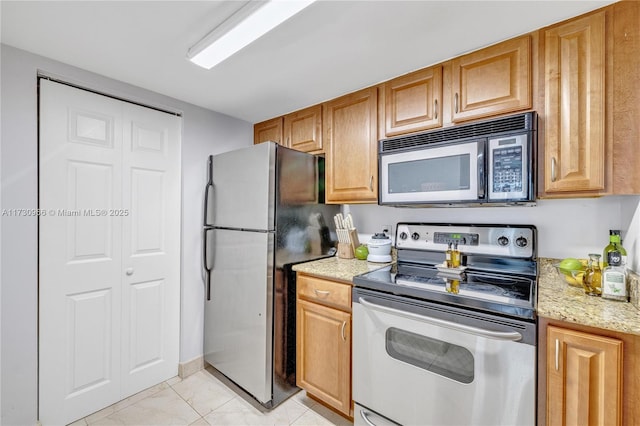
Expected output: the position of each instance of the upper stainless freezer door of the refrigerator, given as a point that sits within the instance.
(244, 188)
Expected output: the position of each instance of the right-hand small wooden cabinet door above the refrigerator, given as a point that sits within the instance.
(303, 129)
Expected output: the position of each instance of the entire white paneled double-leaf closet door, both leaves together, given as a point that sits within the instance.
(88, 304)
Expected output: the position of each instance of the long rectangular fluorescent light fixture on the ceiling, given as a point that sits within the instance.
(248, 24)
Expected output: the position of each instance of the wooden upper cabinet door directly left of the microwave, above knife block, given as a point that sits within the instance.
(349, 132)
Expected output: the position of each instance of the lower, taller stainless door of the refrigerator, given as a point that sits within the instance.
(239, 316)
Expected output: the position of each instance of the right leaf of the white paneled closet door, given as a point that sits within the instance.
(151, 247)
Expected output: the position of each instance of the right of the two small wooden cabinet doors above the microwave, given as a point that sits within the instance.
(492, 81)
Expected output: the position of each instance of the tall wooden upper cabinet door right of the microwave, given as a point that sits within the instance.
(574, 146)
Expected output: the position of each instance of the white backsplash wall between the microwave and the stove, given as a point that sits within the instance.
(566, 228)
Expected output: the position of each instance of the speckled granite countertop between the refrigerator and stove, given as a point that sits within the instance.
(337, 268)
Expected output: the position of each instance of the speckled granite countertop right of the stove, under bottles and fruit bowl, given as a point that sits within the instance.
(558, 300)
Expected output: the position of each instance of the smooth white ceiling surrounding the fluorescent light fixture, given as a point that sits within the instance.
(327, 50)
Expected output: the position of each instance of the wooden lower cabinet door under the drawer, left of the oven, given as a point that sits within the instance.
(323, 364)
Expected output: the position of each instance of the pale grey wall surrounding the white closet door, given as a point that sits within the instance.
(204, 132)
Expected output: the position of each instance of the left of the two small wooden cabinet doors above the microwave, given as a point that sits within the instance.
(413, 102)
